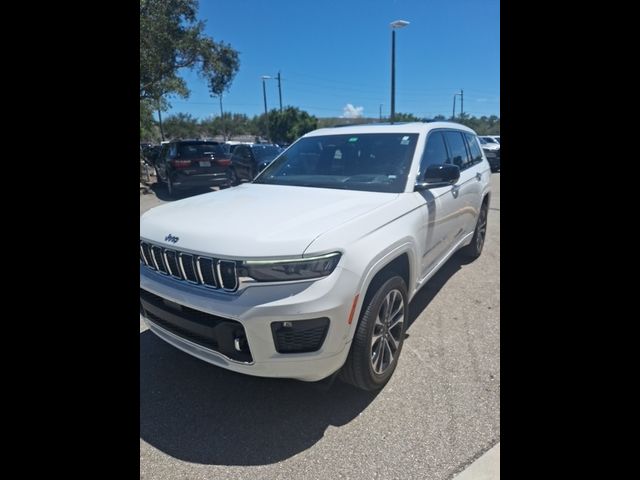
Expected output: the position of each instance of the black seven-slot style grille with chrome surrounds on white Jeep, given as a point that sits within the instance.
(198, 270)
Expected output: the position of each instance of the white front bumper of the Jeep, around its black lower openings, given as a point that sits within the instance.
(256, 308)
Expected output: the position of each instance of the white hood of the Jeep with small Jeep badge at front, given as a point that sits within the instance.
(254, 220)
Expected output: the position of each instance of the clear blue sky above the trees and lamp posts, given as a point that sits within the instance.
(336, 53)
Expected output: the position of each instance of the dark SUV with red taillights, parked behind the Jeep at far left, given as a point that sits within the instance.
(185, 164)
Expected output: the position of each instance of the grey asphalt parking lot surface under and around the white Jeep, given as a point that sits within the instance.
(439, 412)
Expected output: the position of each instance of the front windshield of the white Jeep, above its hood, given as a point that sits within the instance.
(374, 162)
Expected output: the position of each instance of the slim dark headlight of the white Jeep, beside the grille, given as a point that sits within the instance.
(289, 269)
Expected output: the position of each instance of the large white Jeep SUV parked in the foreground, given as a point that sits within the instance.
(309, 270)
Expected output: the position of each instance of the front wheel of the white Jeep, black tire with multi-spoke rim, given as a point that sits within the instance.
(365, 367)
